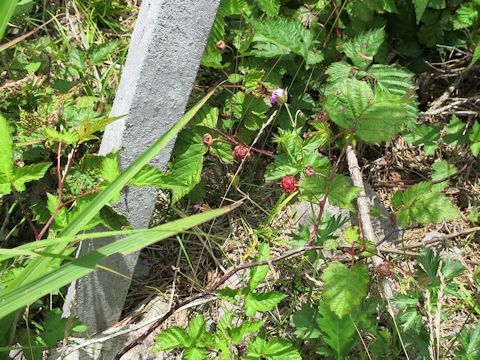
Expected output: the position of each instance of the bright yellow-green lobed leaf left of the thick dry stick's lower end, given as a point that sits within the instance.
(345, 288)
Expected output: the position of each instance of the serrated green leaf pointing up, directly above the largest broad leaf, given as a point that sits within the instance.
(364, 47)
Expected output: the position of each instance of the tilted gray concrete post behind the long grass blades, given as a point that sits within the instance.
(165, 52)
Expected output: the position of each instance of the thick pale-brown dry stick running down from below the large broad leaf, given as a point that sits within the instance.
(366, 223)
